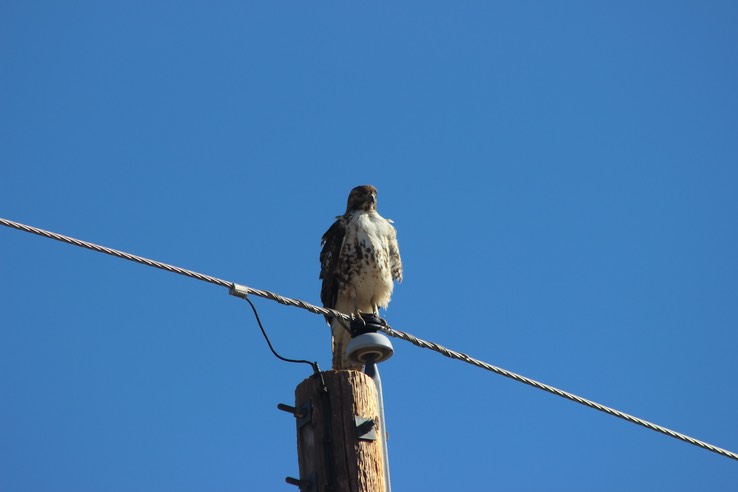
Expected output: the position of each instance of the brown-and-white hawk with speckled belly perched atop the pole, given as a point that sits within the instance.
(359, 260)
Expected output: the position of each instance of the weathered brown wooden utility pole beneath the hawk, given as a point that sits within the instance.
(339, 433)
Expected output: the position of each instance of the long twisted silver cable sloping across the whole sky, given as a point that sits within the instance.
(243, 291)
